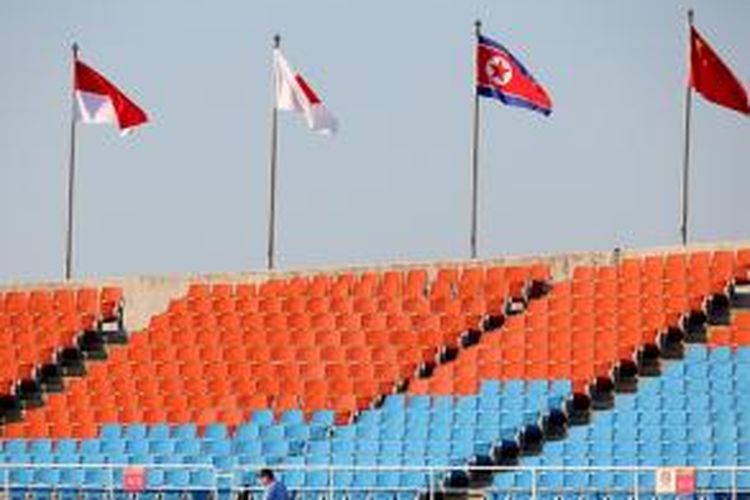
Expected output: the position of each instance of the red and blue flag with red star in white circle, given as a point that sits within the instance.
(502, 76)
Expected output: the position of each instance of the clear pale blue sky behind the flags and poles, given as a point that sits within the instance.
(188, 193)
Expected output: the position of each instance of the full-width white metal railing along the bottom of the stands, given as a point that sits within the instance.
(336, 482)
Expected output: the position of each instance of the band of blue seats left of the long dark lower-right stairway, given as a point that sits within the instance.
(410, 431)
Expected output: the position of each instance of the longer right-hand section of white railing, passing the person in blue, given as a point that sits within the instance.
(528, 482)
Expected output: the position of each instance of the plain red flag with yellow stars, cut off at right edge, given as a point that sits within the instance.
(712, 78)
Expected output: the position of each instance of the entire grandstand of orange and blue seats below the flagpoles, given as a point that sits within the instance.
(576, 376)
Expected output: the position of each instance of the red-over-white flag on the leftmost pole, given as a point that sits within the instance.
(97, 100)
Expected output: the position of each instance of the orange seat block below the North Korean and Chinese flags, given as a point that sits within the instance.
(585, 326)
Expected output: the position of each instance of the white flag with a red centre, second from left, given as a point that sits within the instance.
(293, 93)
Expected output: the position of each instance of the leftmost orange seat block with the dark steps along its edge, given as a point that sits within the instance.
(47, 335)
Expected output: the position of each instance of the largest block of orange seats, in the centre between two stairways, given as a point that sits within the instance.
(310, 344)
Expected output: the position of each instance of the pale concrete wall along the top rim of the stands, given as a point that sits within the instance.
(146, 296)
